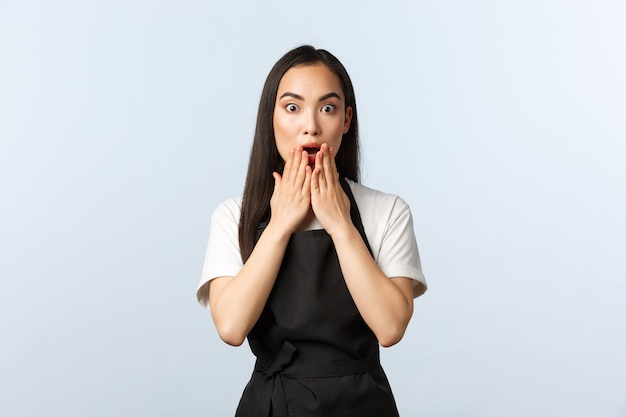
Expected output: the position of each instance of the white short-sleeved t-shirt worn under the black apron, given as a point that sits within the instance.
(387, 222)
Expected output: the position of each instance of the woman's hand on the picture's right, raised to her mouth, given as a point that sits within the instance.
(328, 200)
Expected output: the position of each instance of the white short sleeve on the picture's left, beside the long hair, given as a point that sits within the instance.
(223, 257)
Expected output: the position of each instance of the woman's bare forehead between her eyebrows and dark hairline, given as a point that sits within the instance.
(315, 80)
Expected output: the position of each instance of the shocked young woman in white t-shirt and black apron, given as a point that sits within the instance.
(313, 268)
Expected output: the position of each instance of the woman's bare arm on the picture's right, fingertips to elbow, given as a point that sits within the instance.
(385, 304)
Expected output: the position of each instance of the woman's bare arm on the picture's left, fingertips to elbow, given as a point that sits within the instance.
(237, 302)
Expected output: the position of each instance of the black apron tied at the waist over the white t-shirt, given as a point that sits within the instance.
(315, 354)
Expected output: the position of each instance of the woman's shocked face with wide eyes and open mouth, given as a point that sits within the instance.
(310, 110)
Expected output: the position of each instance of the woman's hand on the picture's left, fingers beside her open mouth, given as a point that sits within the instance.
(291, 200)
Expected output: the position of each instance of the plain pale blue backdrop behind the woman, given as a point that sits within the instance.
(123, 124)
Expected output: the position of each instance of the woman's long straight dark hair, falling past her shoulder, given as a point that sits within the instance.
(264, 156)
